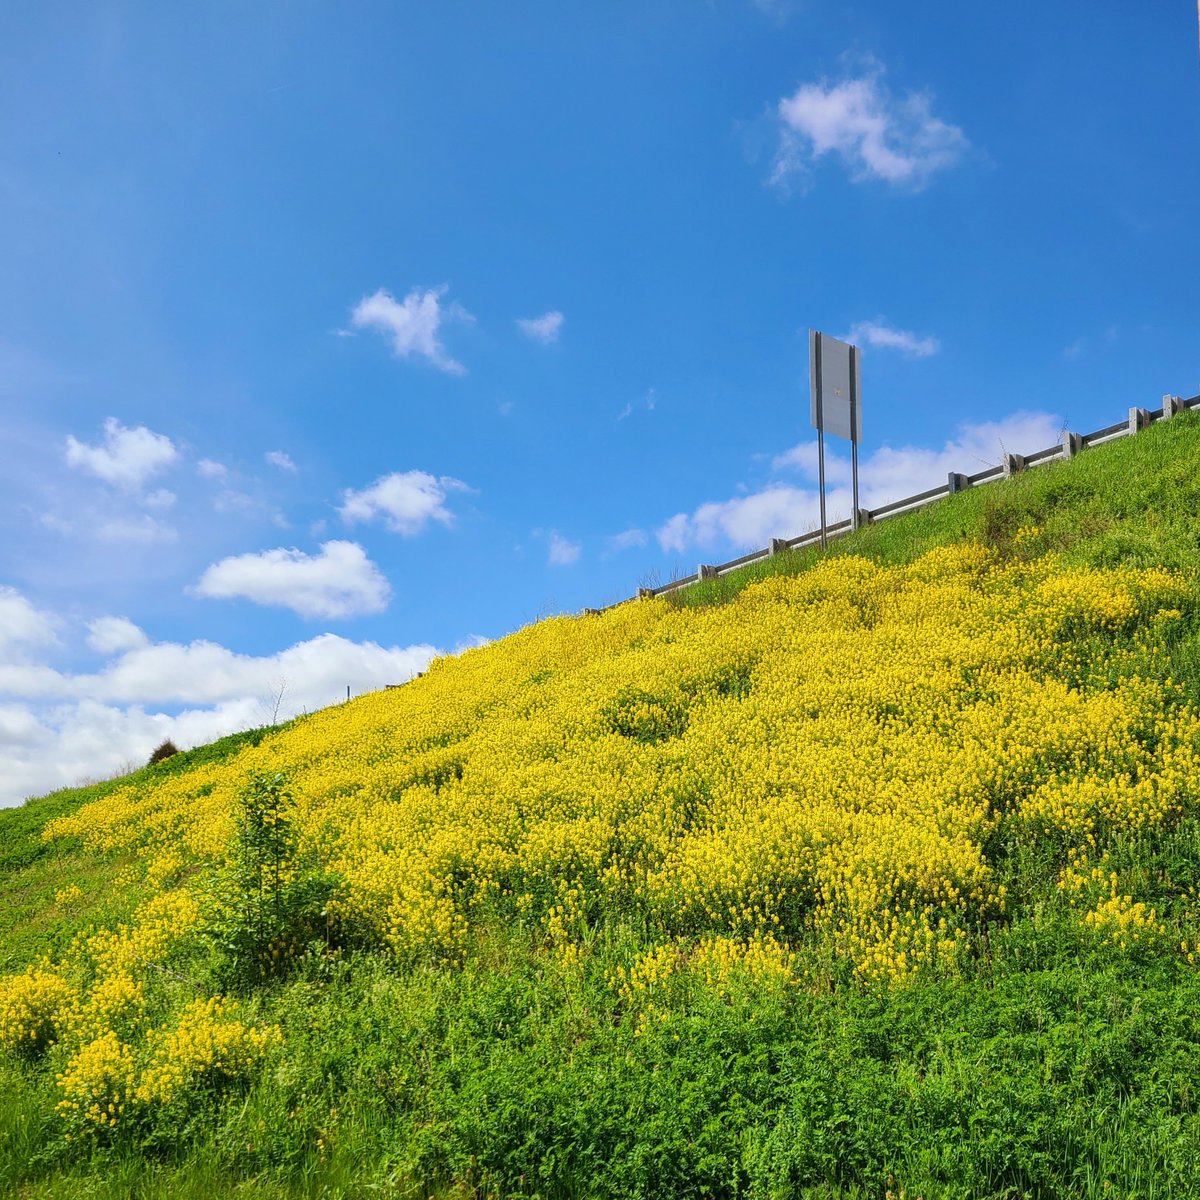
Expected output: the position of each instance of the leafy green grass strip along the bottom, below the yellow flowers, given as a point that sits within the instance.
(1058, 1070)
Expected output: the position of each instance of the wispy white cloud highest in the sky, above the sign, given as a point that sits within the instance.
(874, 134)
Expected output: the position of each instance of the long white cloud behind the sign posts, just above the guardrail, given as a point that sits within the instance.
(783, 511)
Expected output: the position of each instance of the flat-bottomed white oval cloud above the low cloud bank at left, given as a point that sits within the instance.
(341, 581)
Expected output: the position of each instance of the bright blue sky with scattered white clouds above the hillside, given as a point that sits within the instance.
(333, 337)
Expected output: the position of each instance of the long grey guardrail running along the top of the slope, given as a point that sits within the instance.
(1071, 445)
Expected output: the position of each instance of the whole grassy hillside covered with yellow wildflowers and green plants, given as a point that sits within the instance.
(853, 874)
